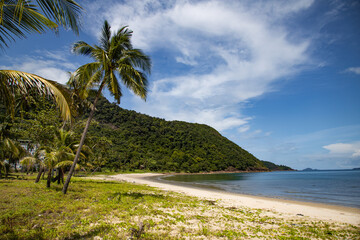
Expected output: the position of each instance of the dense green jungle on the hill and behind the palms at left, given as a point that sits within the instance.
(124, 140)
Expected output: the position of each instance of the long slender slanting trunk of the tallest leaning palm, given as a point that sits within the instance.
(67, 182)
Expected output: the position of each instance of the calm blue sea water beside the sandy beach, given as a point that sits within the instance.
(332, 187)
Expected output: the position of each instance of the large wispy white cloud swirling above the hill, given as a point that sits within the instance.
(234, 51)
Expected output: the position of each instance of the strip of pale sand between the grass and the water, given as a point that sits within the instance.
(286, 208)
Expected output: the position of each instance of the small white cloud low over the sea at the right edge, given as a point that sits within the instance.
(344, 149)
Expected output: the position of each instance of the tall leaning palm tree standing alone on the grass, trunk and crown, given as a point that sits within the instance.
(114, 57)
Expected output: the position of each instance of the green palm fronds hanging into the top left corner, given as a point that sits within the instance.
(19, 17)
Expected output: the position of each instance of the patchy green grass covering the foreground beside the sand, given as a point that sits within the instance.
(94, 209)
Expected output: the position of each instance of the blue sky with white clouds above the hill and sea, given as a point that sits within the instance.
(279, 78)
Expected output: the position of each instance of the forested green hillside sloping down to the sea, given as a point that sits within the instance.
(139, 141)
